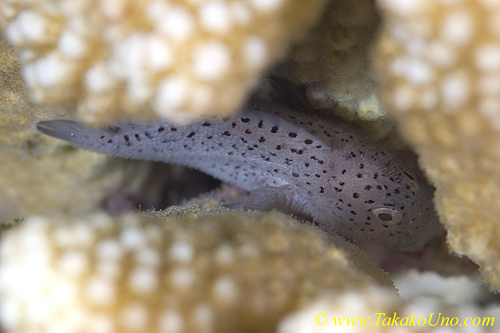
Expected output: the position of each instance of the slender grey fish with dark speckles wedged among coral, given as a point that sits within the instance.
(345, 181)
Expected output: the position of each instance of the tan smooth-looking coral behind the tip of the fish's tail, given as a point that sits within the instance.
(39, 175)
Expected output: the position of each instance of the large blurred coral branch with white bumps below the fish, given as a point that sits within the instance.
(182, 270)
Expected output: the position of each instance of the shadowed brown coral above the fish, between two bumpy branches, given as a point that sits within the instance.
(333, 61)
